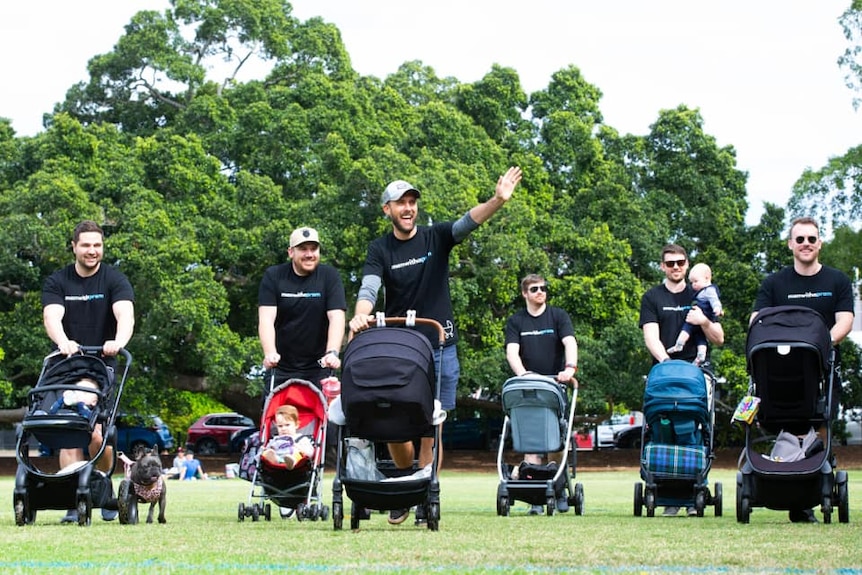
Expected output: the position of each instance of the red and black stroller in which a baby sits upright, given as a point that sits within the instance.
(298, 489)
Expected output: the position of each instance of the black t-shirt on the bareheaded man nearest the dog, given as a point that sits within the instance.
(89, 317)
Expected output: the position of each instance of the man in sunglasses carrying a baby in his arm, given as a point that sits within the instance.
(665, 309)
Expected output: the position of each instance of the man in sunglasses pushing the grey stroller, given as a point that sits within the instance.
(541, 339)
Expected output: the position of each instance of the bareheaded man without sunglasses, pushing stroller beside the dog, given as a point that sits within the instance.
(88, 304)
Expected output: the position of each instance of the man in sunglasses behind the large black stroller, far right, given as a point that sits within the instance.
(811, 284)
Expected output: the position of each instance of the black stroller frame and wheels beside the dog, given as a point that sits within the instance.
(80, 488)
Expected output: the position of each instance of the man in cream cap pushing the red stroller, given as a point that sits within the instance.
(301, 313)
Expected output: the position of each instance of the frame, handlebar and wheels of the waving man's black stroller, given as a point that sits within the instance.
(387, 495)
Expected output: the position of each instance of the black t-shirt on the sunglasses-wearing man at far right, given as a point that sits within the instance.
(827, 292)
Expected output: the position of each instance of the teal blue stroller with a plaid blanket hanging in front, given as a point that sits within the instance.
(677, 440)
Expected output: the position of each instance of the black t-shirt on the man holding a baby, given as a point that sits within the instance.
(668, 310)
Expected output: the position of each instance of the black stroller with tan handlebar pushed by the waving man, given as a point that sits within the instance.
(388, 392)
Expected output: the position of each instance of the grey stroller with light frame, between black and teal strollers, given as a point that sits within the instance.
(539, 418)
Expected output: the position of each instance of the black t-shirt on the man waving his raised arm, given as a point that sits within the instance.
(415, 276)
